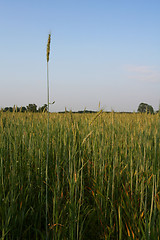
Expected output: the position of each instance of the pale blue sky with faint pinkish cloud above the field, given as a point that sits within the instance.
(105, 51)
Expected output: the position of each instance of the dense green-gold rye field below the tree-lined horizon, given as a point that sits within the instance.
(103, 176)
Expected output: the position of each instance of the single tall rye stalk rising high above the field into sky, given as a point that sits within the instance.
(48, 52)
